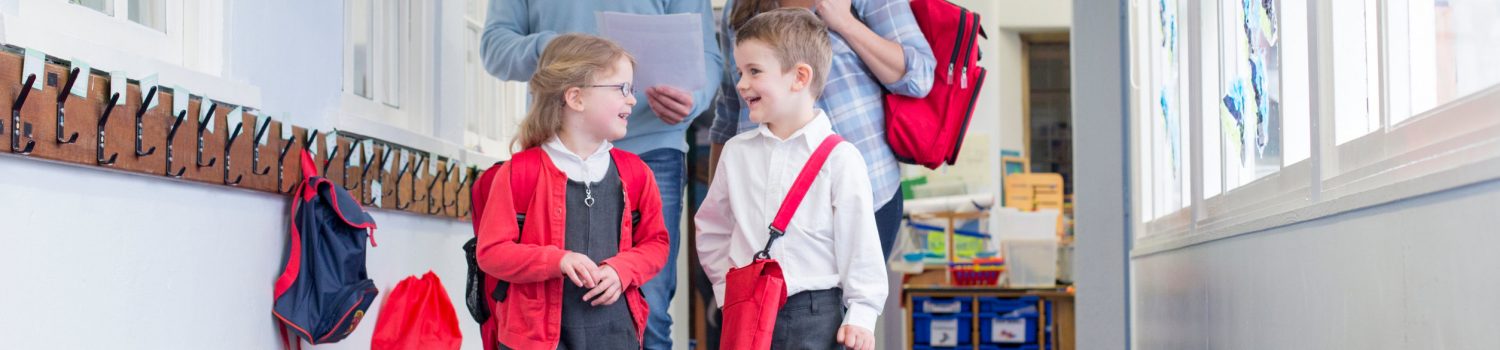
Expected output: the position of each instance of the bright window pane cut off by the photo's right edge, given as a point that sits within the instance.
(1451, 50)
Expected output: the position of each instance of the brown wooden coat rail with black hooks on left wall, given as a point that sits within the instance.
(209, 142)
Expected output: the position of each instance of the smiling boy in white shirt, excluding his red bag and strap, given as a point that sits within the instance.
(836, 277)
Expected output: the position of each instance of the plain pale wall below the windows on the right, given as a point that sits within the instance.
(1412, 274)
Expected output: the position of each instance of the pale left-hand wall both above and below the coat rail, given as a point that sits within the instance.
(100, 259)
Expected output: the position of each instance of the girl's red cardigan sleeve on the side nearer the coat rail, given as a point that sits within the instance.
(500, 255)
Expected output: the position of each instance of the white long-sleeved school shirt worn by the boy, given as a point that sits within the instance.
(832, 240)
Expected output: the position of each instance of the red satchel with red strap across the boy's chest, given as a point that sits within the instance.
(755, 294)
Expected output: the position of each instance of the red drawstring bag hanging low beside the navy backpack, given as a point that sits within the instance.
(418, 315)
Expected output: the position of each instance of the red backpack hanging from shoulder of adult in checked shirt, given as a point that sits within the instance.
(929, 131)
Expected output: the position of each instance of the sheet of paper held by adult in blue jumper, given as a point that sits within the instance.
(668, 49)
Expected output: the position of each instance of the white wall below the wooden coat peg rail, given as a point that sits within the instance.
(103, 259)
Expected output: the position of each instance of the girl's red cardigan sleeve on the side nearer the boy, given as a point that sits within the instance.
(646, 258)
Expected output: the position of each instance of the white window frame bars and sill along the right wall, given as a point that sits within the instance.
(1454, 145)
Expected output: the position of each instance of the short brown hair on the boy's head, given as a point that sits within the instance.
(797, 37)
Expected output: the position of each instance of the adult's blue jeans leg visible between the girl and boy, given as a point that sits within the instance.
(670, 167)
